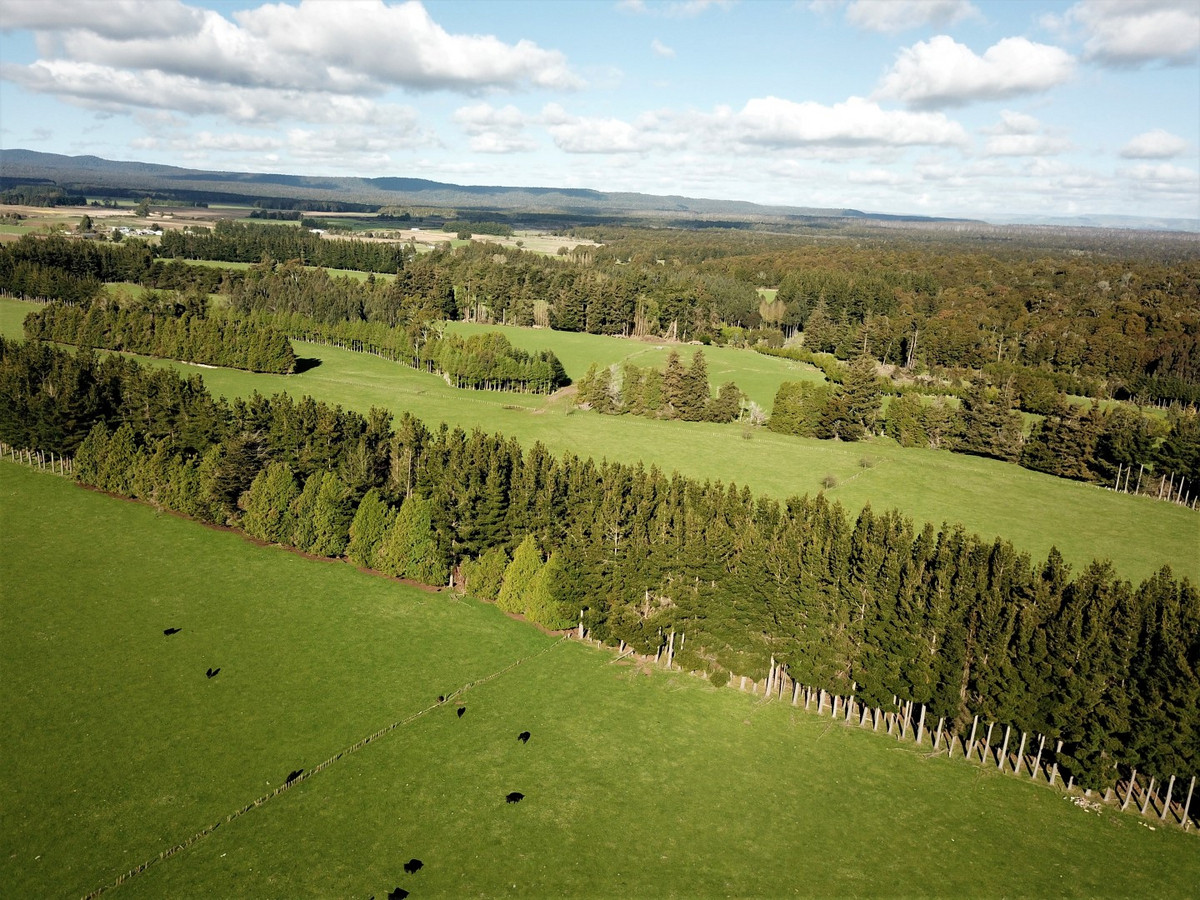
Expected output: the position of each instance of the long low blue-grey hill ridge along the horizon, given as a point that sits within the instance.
(93, 175)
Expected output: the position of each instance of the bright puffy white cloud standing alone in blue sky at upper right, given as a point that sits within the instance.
(941, 73)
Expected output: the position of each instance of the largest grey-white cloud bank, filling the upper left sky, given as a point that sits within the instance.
(313, 63)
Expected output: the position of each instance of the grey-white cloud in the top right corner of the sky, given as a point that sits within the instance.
(1133, 33)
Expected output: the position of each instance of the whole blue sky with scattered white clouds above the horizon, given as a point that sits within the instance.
(932, 107)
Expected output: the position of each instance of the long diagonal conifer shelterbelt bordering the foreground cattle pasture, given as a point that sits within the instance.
(869, 607)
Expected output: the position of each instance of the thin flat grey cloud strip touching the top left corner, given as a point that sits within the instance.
(118, 20)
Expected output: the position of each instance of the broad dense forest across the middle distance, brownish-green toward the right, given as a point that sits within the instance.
(1107, 323)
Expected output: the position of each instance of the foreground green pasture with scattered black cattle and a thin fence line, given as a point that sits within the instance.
(638, 784)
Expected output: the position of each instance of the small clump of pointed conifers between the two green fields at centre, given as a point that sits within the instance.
(679, 392)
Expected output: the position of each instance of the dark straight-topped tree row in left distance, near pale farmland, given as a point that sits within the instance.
(249, 243)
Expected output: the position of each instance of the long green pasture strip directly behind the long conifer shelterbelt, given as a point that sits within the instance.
(1033, 511)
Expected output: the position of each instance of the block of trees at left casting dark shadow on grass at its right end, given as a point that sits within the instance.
(169, 328)
